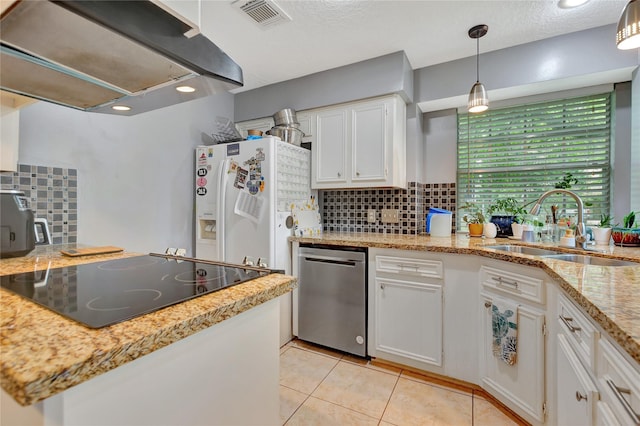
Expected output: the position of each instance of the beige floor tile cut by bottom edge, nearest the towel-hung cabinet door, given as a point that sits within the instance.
(414, 403)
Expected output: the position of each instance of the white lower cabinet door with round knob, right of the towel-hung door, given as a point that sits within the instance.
(576, 393)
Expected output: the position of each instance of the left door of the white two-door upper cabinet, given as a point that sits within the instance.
(330, 149)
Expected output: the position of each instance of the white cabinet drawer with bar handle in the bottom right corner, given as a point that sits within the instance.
(619, 383)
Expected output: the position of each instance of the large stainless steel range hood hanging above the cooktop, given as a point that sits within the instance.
(94, 55)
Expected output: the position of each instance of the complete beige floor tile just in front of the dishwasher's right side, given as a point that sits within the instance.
(359, 388)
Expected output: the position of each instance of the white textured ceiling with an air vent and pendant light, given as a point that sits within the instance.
(325, 34)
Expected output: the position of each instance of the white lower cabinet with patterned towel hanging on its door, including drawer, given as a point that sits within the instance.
(521, 385)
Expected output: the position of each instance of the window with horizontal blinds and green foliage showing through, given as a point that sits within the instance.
(523, 151)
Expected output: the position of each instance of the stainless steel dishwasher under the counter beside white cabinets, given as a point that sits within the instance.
(332, 298)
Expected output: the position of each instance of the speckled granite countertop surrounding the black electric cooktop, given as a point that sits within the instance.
(44, 353)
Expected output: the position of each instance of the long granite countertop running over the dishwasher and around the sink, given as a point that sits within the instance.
(608, 294)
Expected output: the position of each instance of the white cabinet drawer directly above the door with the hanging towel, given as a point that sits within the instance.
(512, 283)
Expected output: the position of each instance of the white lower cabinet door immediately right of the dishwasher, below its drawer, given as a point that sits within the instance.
(409, 319)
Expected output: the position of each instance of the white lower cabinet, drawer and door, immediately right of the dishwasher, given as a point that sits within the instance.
(406, 310)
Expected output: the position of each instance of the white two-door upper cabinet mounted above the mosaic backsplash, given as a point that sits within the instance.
(360, 144)
